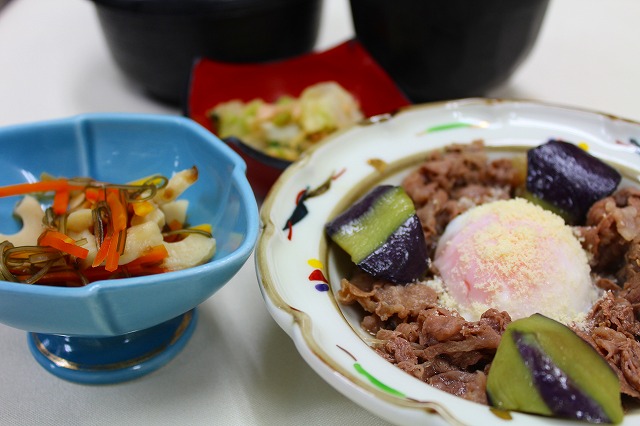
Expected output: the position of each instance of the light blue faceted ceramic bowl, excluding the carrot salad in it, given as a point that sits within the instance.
(119, 148)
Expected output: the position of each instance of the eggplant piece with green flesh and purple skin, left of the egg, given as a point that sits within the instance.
(382, 235)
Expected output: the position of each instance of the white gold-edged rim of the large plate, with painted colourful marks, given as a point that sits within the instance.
(298, 273)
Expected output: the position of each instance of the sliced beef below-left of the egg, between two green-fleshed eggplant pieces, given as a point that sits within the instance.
(432, 343)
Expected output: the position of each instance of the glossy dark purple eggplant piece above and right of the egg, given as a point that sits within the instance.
(569, 178)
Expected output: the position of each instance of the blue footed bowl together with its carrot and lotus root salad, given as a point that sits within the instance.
(100, 310)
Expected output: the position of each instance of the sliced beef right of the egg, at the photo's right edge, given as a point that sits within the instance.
(612, 237)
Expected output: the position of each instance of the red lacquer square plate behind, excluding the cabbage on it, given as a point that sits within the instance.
(348, 64)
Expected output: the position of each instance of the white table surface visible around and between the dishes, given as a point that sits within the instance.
(54, 63)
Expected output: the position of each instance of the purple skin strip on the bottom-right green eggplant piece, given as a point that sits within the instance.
(563, 398)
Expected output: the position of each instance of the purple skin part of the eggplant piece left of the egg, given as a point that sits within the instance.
(391, 261)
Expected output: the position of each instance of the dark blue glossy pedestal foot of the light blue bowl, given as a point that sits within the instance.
(113, 359)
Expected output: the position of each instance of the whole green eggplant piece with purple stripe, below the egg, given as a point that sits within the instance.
(543, 367)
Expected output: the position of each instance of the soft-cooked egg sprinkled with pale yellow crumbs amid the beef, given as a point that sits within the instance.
(514, 256)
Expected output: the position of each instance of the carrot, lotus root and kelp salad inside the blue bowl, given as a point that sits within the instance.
(96, 231)
